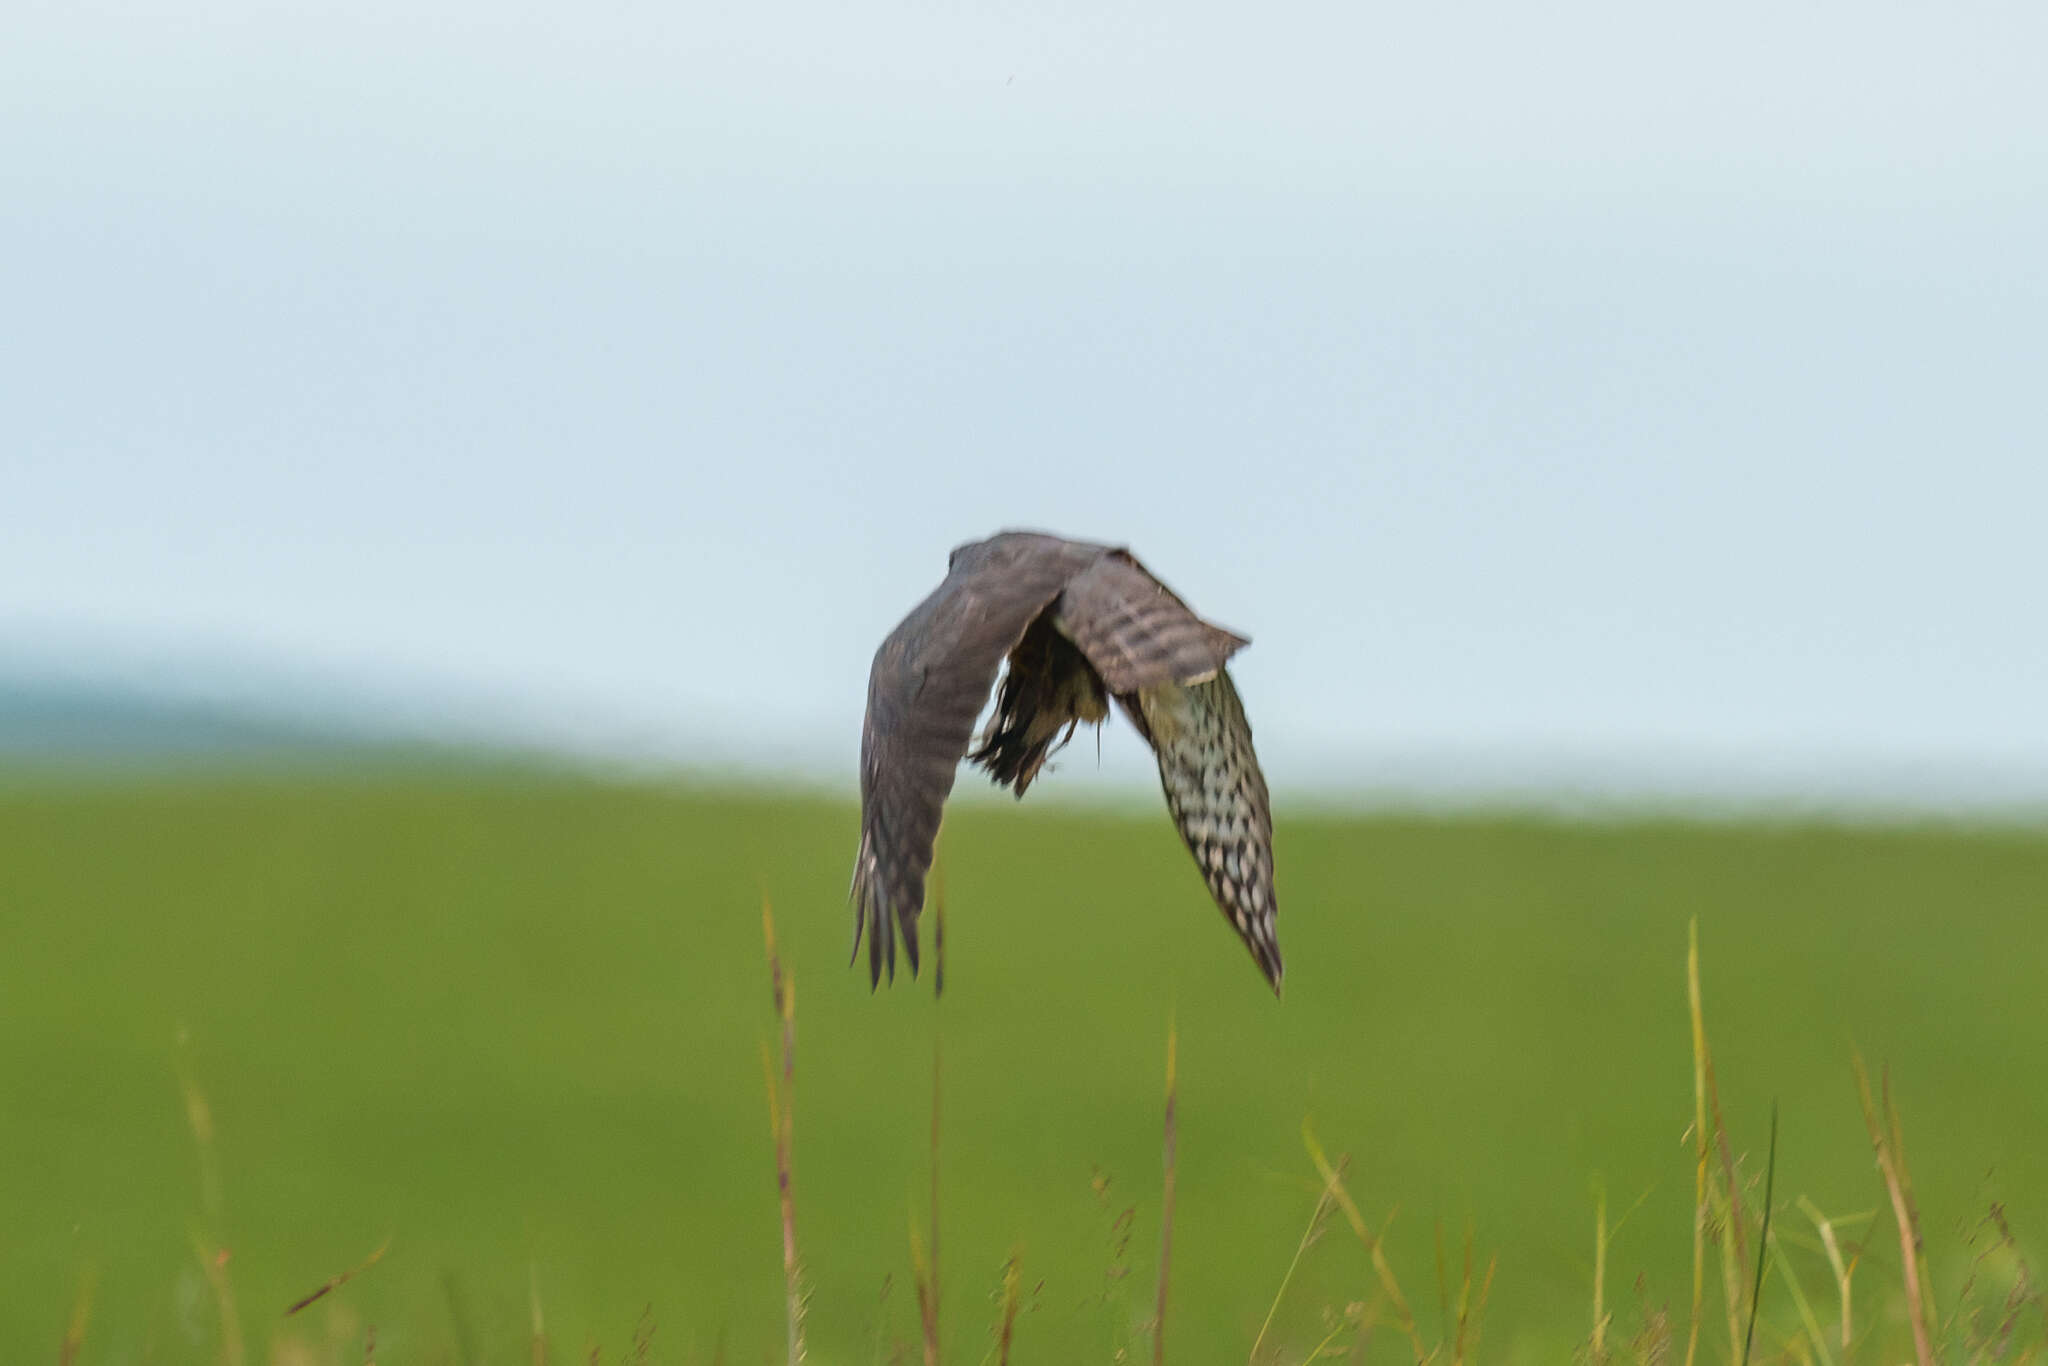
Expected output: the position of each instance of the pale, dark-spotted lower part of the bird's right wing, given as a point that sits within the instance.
(1218, 796)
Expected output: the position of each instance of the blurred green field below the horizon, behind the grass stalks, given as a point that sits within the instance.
(515, 1027)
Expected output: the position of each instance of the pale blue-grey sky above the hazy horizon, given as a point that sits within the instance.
(1545, 390)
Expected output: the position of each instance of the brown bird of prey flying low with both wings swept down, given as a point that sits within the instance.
(1078, 626)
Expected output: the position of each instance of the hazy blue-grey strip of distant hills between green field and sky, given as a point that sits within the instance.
(122, 712)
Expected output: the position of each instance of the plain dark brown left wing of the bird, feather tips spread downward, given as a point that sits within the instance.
(929, 683)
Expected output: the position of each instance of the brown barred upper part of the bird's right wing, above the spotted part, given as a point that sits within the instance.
(1136, 632)
